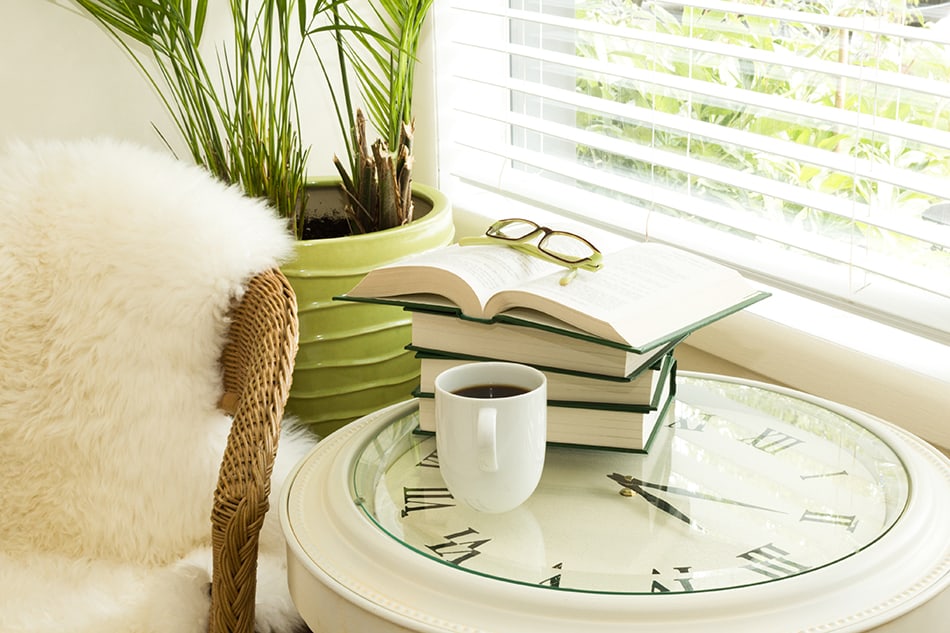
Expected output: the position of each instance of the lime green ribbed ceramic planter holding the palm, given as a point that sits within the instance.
(352, 358)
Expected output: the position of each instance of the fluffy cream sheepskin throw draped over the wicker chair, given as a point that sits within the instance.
(117, 268)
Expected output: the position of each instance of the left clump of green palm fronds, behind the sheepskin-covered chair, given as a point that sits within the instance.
(242, 124)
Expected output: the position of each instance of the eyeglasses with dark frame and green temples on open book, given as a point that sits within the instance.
(559, 247)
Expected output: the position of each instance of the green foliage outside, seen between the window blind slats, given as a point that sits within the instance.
(910, 57)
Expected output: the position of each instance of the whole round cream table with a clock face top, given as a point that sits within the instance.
(756, 509)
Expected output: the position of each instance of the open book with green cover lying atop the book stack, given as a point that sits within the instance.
(644, 296)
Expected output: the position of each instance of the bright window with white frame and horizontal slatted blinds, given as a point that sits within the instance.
(804, 142)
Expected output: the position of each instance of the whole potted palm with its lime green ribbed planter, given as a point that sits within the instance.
(240, 118)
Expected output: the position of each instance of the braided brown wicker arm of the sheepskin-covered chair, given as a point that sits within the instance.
(257, 363)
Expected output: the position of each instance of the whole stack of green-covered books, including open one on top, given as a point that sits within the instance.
(605, 340)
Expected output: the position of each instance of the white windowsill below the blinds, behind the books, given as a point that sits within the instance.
(805, 345)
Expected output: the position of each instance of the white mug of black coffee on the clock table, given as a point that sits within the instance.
(491, 429)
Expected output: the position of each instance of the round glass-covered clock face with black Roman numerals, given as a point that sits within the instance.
(741, 486)
